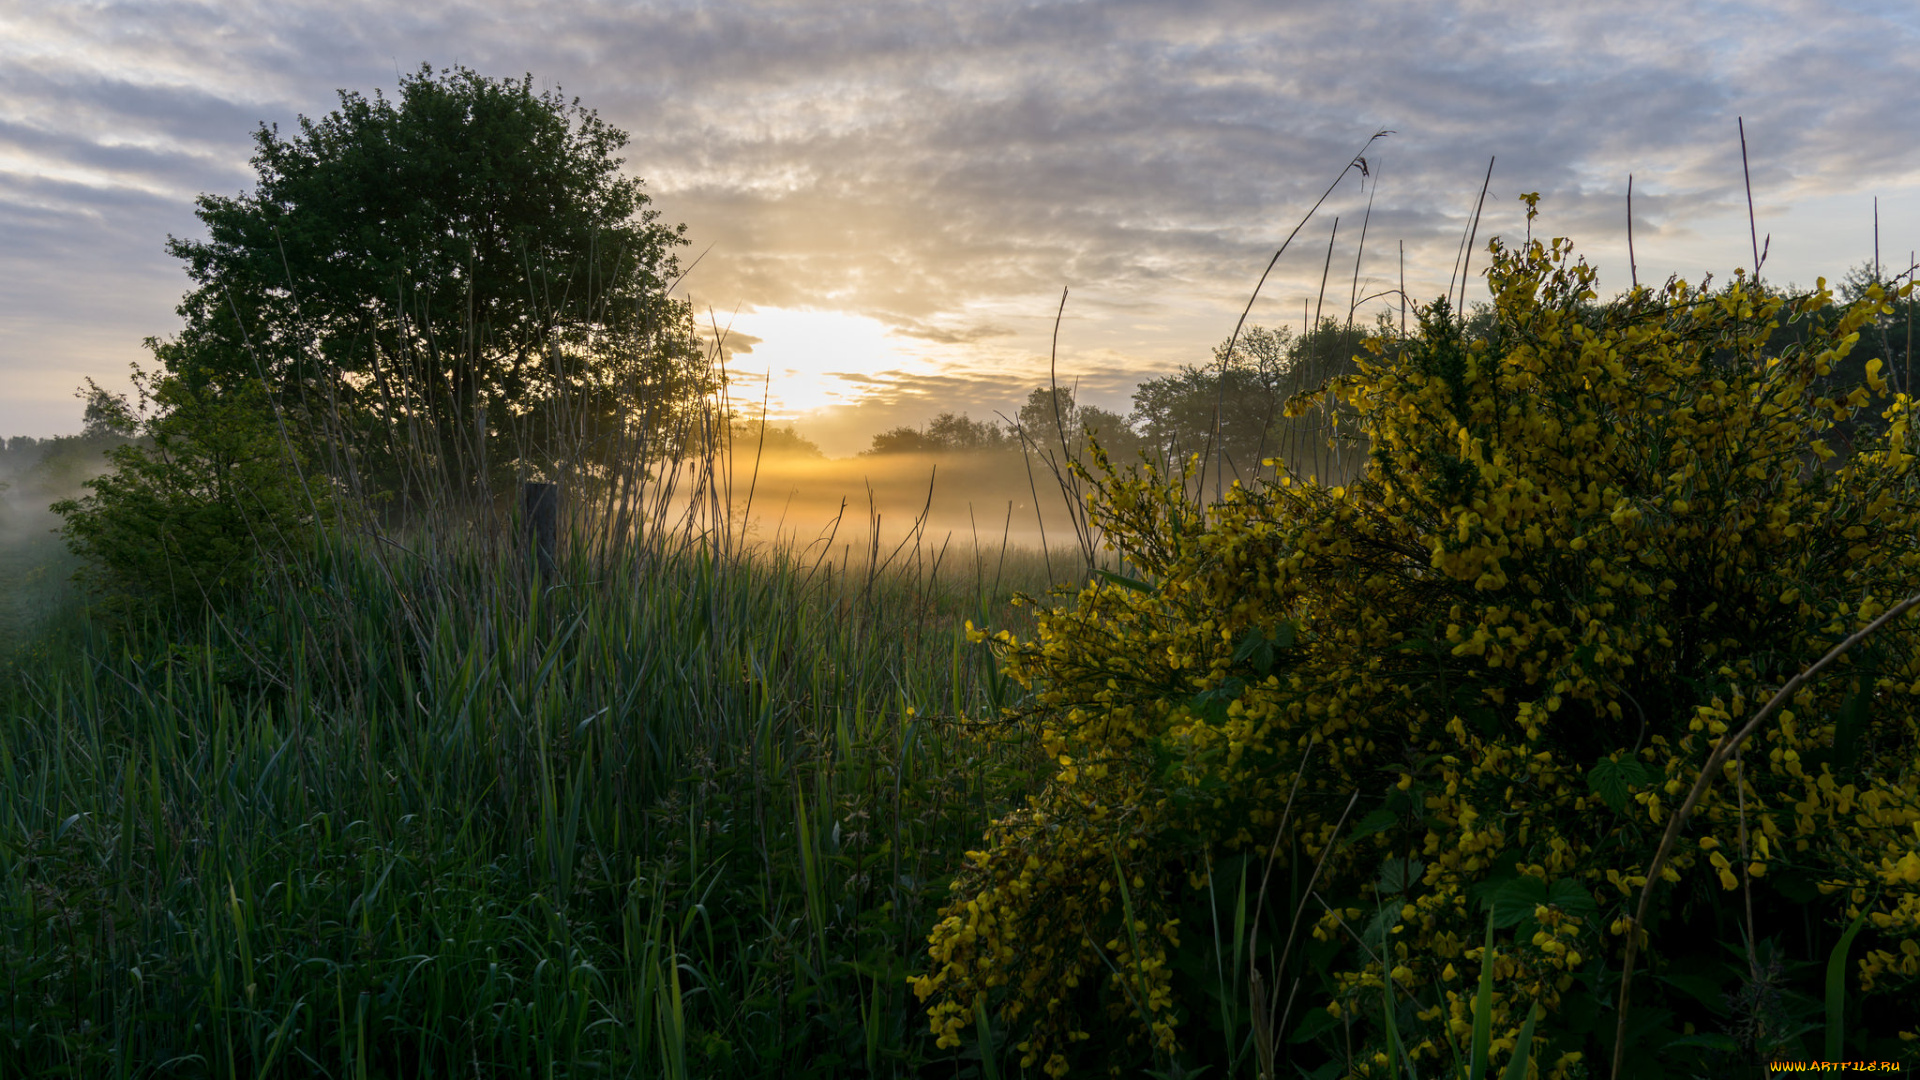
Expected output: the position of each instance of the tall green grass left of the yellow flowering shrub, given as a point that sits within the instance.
(404, 814)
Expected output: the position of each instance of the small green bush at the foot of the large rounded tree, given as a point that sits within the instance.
(195, 506)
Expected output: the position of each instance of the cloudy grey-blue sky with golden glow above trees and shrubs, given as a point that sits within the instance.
(894, 195)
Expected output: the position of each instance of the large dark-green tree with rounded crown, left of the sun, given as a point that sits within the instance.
(402, 264)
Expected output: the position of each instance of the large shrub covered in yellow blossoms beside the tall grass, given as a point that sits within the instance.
(1587, 545)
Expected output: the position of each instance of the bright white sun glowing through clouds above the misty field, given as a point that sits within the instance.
(811, 360)
